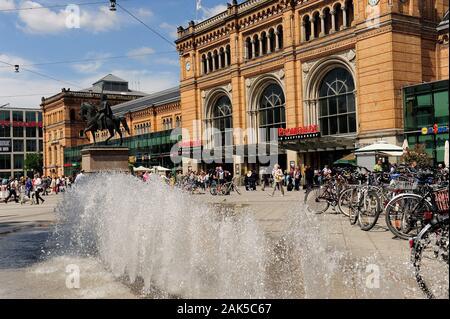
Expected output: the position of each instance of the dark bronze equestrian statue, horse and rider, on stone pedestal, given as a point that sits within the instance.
(102, 119)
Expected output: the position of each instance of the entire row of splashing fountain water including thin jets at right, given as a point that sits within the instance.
(170, 244)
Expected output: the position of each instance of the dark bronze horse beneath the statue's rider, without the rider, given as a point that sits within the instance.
(91, 115)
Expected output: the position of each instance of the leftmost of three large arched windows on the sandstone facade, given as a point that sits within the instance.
(222, 122)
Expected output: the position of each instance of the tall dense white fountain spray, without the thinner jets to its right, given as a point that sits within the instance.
(152, 232)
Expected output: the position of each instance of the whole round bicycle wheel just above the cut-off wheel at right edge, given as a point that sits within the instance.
(405, 215)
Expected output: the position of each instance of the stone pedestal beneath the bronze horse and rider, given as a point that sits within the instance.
(104, 158)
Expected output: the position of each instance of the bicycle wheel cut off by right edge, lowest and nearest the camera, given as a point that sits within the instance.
(430, 260)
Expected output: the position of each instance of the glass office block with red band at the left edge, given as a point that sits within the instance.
(20, 134)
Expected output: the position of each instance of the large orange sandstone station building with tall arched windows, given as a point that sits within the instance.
(335, 66)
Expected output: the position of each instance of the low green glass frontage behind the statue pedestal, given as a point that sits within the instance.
(151, 149)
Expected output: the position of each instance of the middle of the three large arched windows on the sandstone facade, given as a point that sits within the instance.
(271, 110)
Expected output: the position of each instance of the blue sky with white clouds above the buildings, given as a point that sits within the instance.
(112, 42)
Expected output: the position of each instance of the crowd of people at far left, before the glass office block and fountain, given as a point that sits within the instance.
(27, 189)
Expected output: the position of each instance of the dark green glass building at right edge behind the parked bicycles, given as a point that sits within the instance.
(426, 117)
